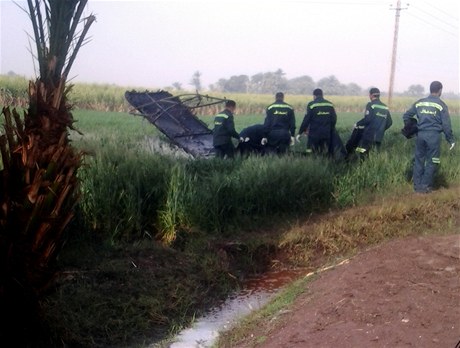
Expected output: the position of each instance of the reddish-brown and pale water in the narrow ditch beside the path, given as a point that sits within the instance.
(256, 292)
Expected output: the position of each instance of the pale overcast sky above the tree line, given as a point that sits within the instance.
(158, 42)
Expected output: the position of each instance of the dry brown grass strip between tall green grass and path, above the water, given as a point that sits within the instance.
(346, 231)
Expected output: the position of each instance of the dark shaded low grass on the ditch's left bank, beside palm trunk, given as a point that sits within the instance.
(132, 295)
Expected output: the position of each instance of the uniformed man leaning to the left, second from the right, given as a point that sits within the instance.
(377, 119)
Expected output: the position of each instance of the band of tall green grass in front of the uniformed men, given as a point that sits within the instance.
(130, 193)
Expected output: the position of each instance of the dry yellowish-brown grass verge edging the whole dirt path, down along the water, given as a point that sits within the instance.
(341, 235)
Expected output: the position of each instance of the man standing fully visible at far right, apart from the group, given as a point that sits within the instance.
(432, 117)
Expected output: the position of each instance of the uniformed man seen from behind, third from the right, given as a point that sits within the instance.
(319, 123)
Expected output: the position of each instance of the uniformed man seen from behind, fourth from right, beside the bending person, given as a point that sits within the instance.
(279, 125)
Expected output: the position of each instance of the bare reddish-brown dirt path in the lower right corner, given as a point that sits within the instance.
(405, 293)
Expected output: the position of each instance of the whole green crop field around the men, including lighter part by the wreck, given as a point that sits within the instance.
(121, 156)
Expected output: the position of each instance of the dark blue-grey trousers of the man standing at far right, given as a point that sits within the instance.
(427, 151)
